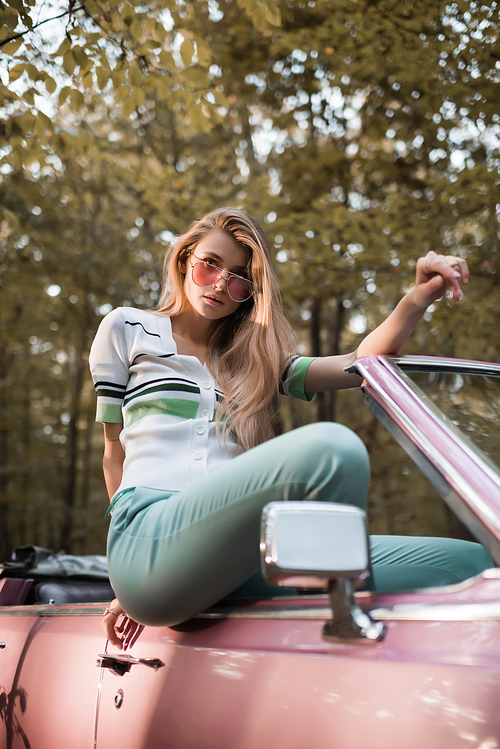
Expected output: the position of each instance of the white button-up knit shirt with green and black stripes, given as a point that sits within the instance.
(166, 401)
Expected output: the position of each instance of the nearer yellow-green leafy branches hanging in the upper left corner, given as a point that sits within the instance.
(119, 50)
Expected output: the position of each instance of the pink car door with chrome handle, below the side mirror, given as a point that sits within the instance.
(262, 673)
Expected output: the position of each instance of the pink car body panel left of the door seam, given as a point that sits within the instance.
(48, 675)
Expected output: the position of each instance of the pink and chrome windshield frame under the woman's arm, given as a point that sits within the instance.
(461, 473)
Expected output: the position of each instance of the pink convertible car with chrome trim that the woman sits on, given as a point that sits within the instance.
(325, 664)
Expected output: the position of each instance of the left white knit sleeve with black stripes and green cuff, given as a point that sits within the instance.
(109, 367)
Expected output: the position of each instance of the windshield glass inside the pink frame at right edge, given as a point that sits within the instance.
(471, 402)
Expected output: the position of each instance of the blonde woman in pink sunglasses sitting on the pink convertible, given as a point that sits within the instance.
(185, 394)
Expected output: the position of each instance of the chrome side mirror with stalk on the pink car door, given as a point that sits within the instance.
(324, 546)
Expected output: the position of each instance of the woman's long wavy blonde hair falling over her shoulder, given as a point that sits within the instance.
(248, 351)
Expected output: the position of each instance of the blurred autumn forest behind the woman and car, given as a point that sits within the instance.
(360, 133)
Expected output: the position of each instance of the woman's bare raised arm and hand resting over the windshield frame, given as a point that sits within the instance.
(434, 275)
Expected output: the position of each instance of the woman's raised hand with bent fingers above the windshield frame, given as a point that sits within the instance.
(435, 274)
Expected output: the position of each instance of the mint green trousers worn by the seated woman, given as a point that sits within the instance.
(174, 554)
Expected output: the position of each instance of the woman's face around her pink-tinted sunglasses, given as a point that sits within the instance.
(213, 302)
